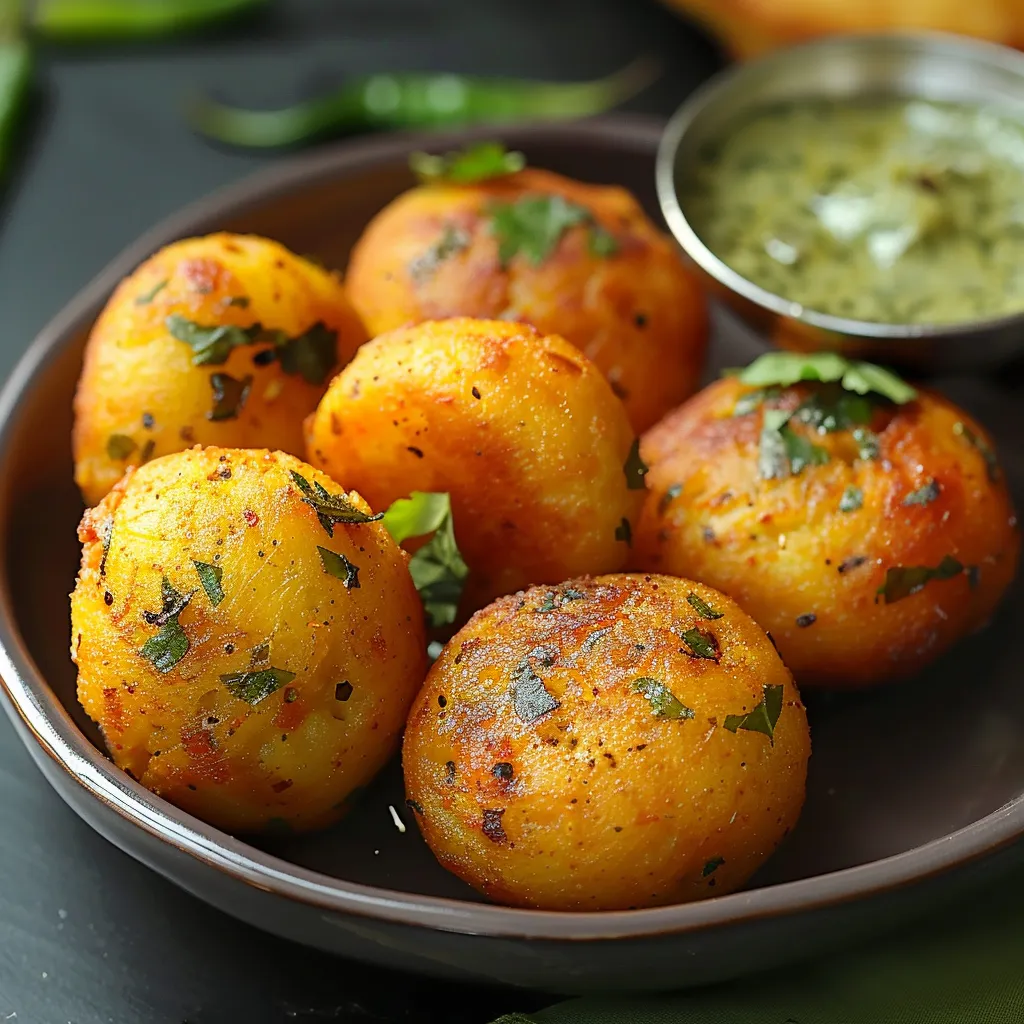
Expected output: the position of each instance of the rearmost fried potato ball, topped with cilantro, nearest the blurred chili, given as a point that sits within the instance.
(579, 261)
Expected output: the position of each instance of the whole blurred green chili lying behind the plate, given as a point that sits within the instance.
(415, 101)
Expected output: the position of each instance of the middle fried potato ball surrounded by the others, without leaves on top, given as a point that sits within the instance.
(522, 431)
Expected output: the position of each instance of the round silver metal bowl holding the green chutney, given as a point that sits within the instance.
(922, 66)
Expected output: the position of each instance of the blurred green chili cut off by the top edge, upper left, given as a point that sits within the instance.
(89, 21)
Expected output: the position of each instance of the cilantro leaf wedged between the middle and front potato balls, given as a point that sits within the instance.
(438, 569)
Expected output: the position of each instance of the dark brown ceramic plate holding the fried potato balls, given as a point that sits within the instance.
(915, 793)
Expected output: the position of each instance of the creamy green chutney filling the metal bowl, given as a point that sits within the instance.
(892, 210)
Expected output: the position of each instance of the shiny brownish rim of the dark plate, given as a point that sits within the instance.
(42, 721)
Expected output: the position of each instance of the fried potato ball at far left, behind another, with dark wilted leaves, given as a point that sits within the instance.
(224, 340)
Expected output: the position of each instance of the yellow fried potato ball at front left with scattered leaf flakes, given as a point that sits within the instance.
(248, 654)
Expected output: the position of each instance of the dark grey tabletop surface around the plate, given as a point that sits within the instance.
(88, 936)
